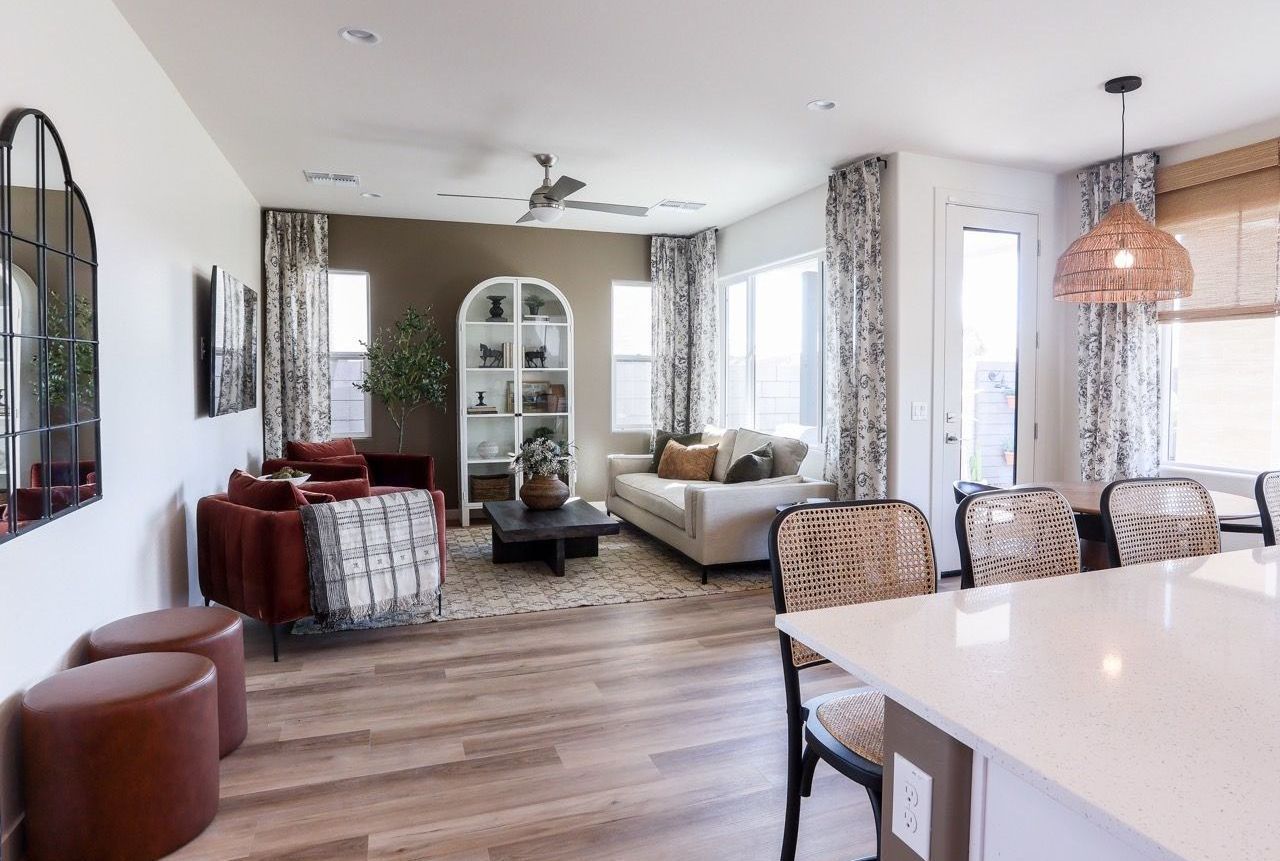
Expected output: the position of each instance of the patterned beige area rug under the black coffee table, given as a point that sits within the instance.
(632, 567)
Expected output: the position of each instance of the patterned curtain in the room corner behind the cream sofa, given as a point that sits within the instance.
(684, 387)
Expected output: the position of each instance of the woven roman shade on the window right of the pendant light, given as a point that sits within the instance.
(1226, 209)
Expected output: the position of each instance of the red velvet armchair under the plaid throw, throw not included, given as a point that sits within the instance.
(255, 561)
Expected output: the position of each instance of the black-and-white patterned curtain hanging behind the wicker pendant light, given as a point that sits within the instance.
(1118, 388)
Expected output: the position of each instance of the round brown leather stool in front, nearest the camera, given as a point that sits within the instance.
(121, 758)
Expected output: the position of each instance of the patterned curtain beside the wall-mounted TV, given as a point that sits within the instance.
(296, 358)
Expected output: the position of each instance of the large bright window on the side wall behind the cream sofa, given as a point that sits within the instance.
(772, 351)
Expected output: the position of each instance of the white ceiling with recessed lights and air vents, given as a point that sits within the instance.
(698, 100)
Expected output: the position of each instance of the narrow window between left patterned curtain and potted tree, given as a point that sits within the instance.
(349, 328)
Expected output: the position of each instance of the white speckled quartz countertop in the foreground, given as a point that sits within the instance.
(1148, 699)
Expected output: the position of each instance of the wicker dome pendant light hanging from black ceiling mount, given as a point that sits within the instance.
(1124, 258)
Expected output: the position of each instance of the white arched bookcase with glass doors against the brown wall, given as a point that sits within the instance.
(525, 373)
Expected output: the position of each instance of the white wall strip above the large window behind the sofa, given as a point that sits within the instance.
(793, 228)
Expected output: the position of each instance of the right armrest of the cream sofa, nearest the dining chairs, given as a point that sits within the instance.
(744, 511)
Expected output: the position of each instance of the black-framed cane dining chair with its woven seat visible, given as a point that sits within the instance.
(835, 555)
